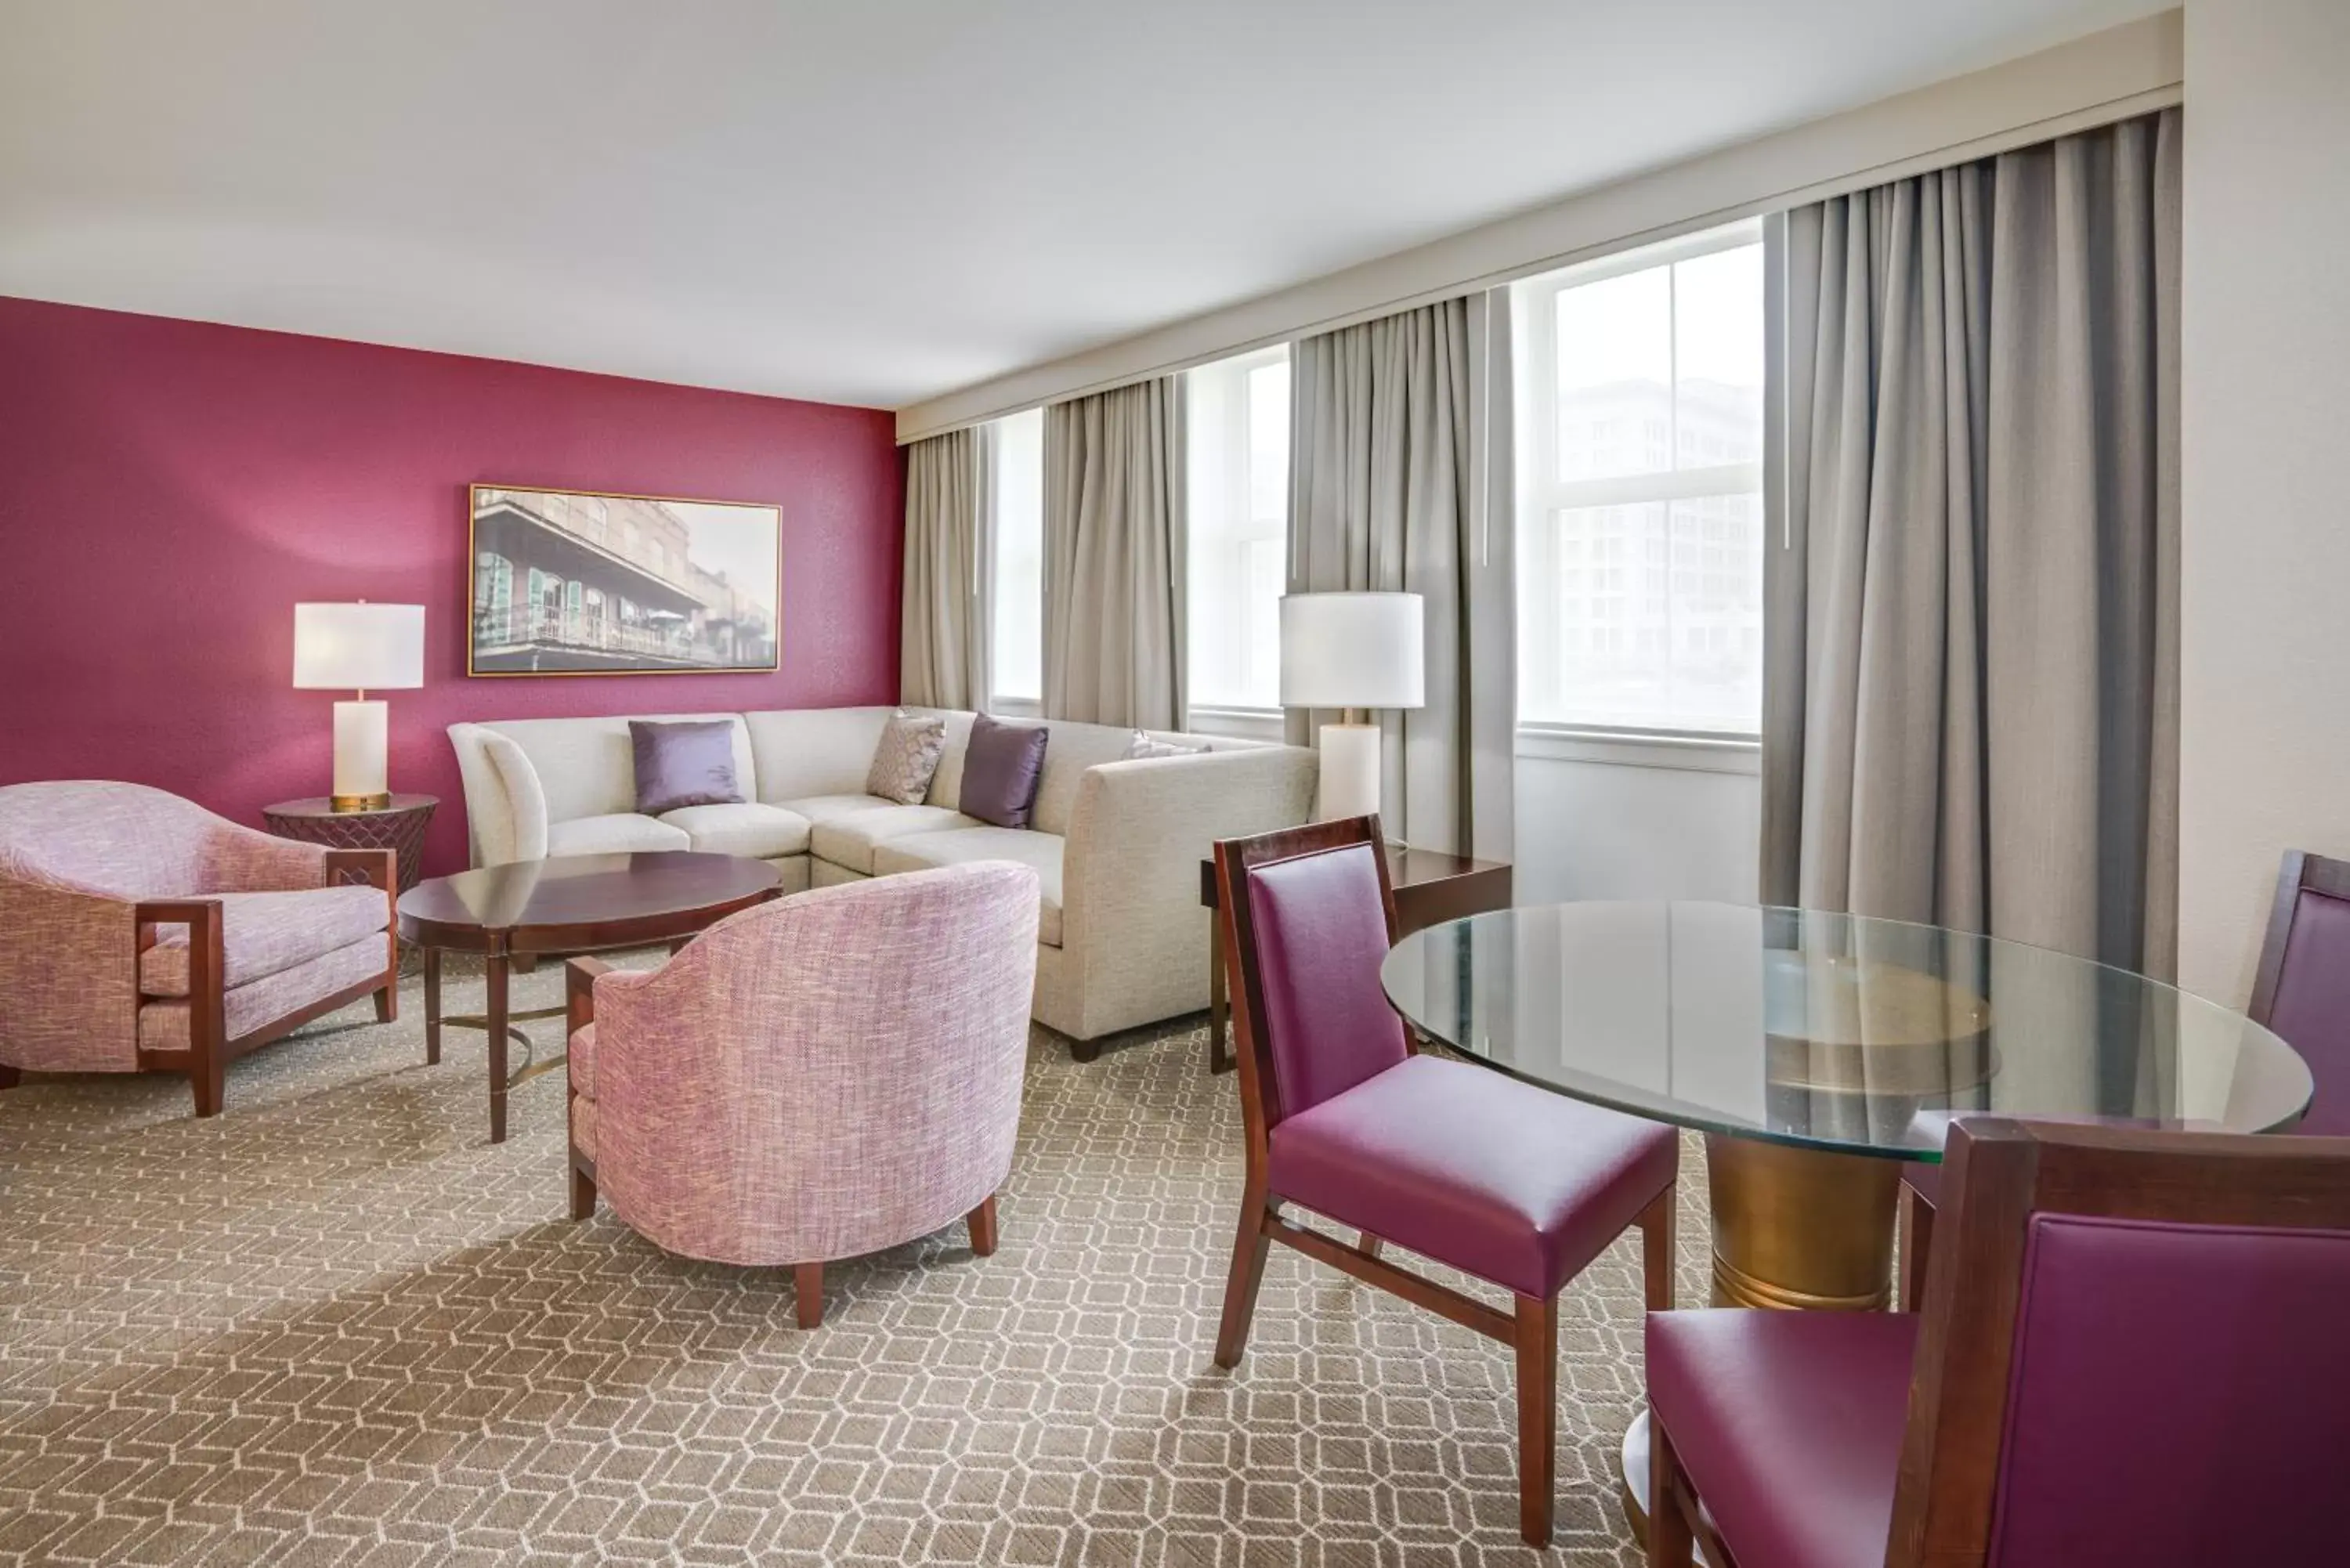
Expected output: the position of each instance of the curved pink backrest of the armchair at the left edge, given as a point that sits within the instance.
(109, 838)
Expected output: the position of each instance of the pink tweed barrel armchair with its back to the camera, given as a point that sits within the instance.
(812, 1080)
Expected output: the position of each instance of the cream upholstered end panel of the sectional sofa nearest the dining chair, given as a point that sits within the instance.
(1132, 916)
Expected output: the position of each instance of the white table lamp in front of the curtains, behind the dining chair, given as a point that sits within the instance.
(1348, 652)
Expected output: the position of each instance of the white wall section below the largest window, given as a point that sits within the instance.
(1602, 819)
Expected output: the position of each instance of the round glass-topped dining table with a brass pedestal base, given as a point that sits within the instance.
(1822, 1052)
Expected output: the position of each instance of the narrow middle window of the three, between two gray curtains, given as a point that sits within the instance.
(1237, 516)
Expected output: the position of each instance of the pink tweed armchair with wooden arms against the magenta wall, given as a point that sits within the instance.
(147, 934)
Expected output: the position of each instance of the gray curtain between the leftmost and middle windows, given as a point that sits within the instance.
(1115, 558)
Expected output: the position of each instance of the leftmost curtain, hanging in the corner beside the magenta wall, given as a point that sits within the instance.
(944, 634)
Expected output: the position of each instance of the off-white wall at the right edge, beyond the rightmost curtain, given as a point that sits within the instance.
(2264, 728)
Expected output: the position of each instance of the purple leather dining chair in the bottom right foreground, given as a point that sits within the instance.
(2130, 1353)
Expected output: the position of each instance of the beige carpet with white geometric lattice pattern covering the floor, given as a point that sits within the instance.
(337, 1327)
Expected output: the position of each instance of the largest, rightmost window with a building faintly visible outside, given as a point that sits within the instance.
(1641, 445)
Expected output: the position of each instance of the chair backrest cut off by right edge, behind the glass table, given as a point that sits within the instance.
(2304, 989)
